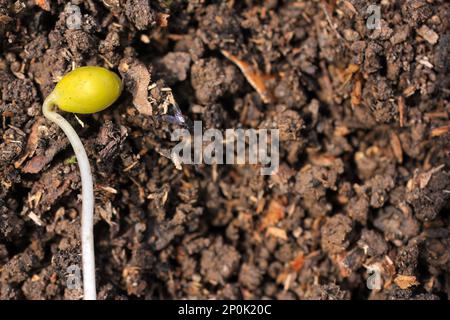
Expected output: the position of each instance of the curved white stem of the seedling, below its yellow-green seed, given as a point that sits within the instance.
(87, 214)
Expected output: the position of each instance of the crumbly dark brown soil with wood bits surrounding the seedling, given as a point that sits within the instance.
(363, 182)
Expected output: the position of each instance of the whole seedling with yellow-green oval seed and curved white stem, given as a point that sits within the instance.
(84, 90)
